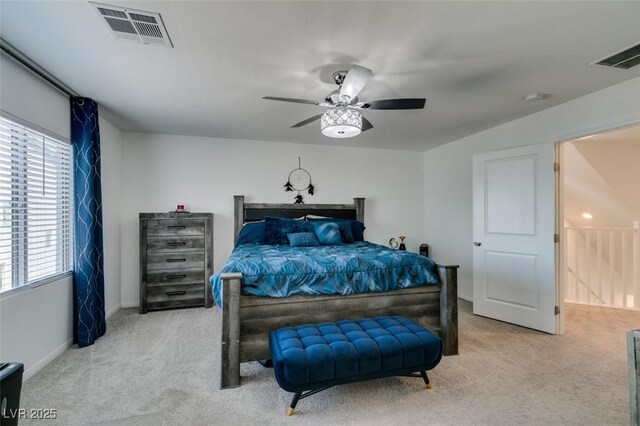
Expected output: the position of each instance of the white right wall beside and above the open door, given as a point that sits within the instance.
(448, 198)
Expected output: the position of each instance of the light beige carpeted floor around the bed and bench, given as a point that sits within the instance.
(162, 368)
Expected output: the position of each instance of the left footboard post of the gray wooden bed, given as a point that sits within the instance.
(230, 348)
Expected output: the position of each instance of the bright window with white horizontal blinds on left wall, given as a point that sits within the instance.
(36, 199)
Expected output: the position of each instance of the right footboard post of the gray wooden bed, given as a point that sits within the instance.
(449, 307)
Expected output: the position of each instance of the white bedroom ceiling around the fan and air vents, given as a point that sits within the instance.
(473, 61)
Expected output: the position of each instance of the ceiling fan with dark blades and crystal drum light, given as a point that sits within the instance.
(343, 118)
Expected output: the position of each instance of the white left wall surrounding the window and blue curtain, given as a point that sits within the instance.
(36, 323)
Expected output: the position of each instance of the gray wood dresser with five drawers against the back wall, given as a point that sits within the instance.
(176, 260)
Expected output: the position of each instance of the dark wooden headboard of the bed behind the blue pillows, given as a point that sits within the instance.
(252, 212)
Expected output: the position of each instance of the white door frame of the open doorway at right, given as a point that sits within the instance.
(560, 249)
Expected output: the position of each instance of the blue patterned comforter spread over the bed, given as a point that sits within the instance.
(362, 267)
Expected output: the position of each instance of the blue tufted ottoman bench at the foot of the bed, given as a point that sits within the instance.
(313, 357)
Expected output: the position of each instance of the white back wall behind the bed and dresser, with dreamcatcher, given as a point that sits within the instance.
(161, 171)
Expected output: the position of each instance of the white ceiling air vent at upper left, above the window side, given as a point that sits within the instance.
(134, 25)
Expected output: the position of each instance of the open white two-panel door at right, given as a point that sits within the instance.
(513, 236)
